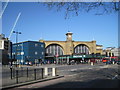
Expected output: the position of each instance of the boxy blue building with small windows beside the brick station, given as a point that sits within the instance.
(28, 51)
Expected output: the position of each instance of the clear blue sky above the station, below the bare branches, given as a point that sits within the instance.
(37, 22)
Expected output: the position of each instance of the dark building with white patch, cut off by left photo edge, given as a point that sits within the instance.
(5, 49)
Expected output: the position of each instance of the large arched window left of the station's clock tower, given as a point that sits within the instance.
(54, 49)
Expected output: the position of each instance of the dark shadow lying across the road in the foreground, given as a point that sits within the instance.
(97, 83)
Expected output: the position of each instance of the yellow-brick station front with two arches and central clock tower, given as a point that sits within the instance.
(70, 47)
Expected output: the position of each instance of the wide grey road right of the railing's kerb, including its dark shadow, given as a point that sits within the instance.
(81, 76)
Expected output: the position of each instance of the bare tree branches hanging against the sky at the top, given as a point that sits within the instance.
(75, 8)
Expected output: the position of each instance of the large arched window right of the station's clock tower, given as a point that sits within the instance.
(81, 49)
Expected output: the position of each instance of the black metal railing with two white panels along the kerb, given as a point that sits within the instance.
(20, 75)
